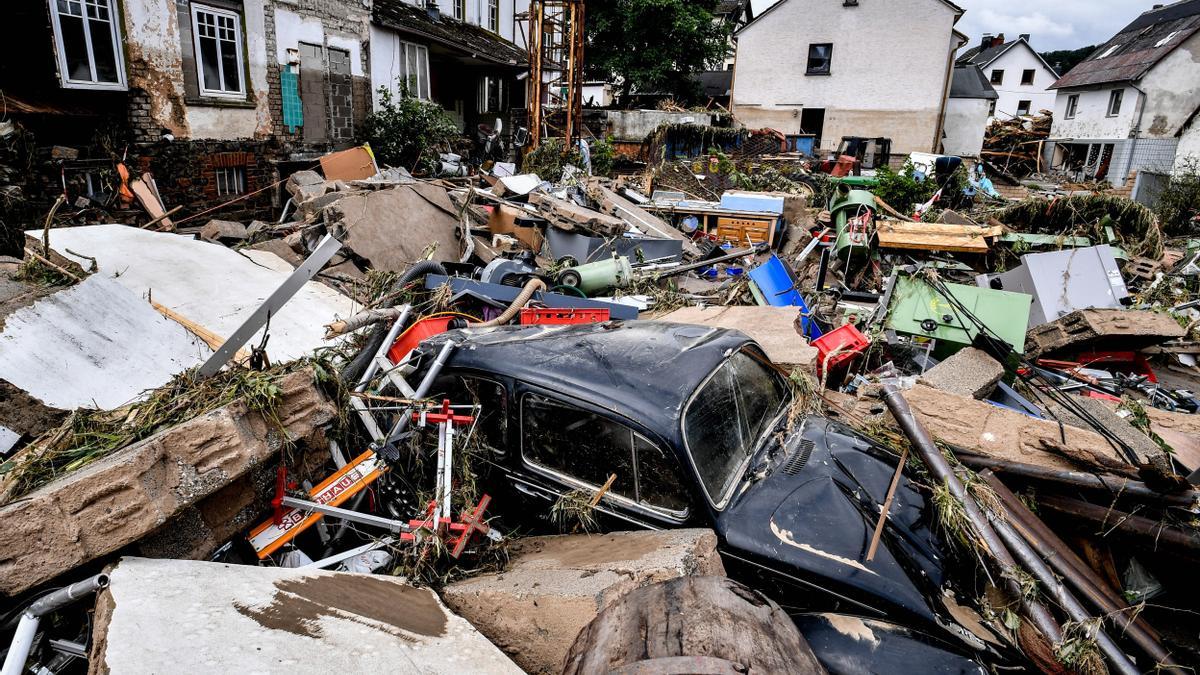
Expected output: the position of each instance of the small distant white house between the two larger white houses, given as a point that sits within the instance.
(1019, 75)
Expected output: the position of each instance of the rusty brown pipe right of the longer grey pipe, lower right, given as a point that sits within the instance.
(1063, 559)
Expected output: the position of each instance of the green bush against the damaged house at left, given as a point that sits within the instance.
(407, 132)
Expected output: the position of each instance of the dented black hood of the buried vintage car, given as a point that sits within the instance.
(814, 515)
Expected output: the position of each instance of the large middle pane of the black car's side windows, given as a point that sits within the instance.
(578, 444)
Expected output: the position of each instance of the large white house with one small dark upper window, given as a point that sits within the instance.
(849, 68)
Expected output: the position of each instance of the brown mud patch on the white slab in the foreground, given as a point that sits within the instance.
(386, 606)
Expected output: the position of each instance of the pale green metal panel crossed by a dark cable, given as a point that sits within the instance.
(919, 309)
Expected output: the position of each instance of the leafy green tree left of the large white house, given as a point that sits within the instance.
(653, 46)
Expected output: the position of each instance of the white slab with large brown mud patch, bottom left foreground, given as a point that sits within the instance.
(158, 616)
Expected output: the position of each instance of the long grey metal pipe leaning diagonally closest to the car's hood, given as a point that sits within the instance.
(941, 471)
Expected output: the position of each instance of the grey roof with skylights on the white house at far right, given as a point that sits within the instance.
(1131, 53)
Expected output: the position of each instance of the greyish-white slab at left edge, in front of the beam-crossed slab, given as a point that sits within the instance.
(95, 344)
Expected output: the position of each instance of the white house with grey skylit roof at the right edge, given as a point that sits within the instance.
(1127, 107)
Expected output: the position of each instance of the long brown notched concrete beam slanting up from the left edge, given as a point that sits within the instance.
(129, 494)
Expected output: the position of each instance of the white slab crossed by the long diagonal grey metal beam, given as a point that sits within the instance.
(214, 286)
